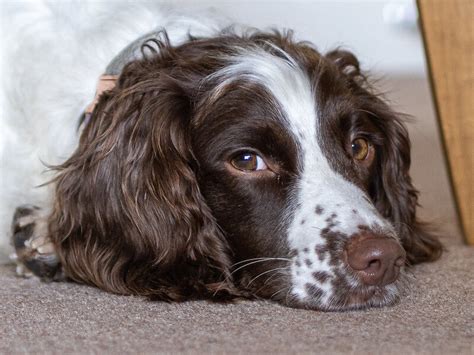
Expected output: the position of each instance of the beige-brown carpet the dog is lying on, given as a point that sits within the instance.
(436, 315)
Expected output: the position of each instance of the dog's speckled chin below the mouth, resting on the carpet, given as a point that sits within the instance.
(359, 298)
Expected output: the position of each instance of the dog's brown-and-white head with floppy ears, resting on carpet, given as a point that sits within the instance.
(242, 165)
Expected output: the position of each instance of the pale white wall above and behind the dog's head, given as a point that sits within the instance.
(362, 26)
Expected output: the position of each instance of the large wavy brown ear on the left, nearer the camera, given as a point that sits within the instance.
(128, 215)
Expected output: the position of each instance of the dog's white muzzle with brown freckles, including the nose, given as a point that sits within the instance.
(326, 270)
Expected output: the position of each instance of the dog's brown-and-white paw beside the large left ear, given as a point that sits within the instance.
(34, 252)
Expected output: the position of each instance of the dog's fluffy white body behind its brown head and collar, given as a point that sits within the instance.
(52, 56)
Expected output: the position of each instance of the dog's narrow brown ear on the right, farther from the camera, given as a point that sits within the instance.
(391, 190)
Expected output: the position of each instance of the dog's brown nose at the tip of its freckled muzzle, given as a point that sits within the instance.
(376, 259)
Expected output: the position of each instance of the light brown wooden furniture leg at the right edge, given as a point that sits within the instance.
(448, 32)
